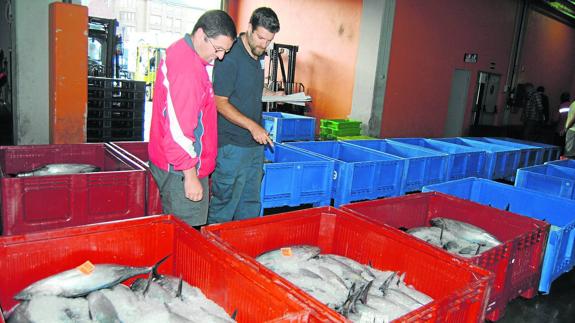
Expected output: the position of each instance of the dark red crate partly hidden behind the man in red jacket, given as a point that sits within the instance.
(138, 151)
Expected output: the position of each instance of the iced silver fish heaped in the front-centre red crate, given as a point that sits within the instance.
(357, 291)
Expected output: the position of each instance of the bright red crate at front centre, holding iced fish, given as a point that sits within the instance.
(460, 290)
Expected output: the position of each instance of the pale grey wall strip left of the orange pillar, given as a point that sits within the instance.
(31, 71)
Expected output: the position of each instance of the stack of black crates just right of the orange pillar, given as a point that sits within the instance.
(115, 110)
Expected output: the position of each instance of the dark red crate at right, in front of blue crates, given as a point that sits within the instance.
(516, 263)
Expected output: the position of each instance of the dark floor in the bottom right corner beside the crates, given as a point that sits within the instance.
(556, 307)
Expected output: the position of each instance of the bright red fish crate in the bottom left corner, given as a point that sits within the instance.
(141, 242)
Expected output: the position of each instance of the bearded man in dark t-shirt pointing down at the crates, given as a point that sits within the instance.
(238, 85)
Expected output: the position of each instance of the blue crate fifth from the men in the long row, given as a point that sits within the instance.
(502, 162)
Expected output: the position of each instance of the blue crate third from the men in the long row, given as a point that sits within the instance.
(424, 166)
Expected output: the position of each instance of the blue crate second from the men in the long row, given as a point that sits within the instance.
(359, 173)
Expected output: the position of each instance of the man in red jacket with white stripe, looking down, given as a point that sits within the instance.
(183, 133)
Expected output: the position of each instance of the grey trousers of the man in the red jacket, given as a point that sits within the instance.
(174, 200)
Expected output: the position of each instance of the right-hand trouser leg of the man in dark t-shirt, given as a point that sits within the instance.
(249, 204)
